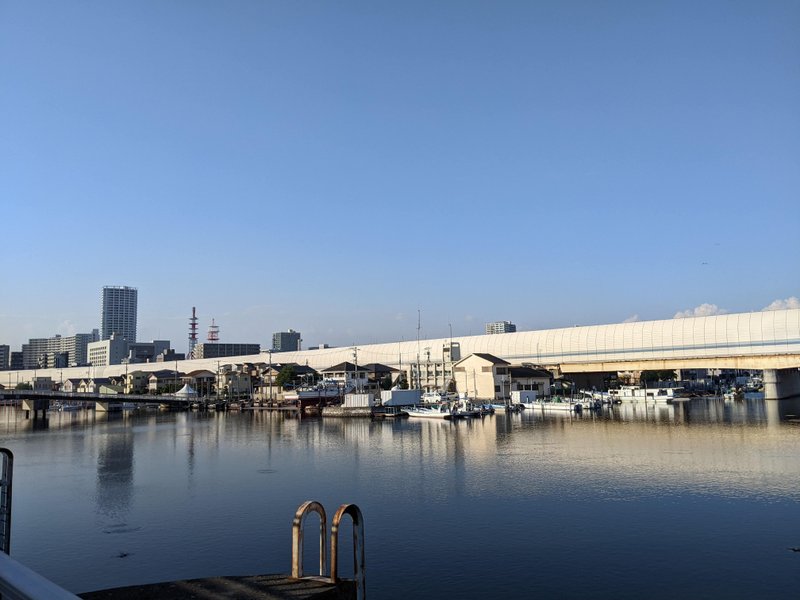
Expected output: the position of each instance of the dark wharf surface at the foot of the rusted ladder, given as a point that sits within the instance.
(254, 587)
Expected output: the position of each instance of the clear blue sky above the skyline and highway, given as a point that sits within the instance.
(355, 170)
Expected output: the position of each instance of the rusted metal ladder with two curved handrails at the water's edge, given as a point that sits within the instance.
(358, 543)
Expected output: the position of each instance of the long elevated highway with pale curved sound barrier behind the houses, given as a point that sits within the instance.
(767, 340)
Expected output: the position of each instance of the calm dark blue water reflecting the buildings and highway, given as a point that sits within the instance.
(700, 500)
